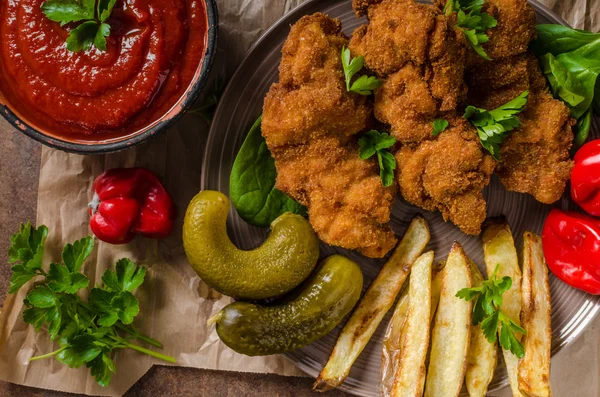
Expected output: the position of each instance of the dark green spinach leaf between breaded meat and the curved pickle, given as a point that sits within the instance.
(252, 183)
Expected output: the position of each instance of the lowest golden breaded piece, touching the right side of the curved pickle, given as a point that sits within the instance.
(347, 203)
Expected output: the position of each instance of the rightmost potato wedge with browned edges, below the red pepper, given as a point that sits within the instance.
(534, 367)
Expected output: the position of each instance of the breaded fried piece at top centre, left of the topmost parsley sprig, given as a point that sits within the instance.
(400, 32)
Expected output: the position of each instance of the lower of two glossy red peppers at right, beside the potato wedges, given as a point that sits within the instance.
(572, 249)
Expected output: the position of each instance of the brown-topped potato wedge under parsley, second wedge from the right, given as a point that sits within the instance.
(499, 249)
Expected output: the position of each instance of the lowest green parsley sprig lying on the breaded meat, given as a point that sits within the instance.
(375, 143)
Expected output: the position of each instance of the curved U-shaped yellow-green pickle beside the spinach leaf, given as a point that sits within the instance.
(280, 264)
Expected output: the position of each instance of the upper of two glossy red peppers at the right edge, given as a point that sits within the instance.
(585, 178)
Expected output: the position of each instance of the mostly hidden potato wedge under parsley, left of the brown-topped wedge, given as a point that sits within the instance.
(483, 355)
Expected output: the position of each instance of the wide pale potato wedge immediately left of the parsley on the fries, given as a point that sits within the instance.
(451, 333)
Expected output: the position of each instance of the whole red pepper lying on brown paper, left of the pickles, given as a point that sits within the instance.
(130, 201)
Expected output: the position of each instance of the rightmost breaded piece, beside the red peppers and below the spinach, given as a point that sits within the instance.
(535, 158)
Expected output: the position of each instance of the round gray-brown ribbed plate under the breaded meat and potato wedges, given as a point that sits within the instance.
(242, 103)
